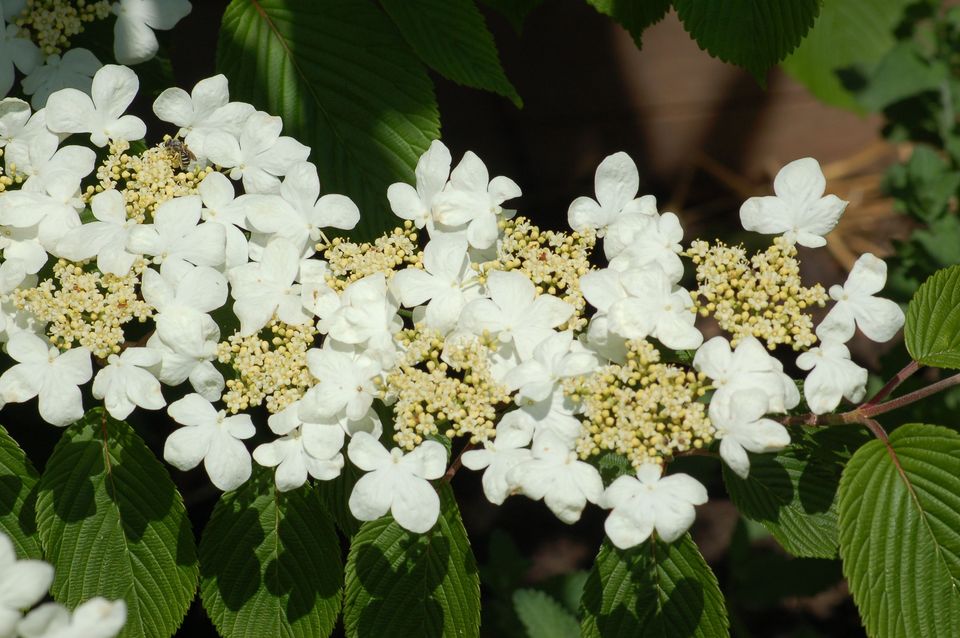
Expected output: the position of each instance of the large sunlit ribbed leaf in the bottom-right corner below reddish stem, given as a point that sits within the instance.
(900, 532)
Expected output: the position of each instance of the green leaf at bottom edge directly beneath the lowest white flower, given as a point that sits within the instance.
(654, 589)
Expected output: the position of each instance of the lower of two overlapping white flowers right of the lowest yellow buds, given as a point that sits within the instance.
(740, 426)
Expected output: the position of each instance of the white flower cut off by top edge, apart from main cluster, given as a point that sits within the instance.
(133, 38)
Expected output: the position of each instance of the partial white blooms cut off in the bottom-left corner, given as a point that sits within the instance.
(24, 583)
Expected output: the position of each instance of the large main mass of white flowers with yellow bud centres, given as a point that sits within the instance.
(465, 328)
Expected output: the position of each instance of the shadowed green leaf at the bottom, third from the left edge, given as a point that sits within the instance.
(270, 563)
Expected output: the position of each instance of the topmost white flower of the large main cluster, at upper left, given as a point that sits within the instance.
(101, 112)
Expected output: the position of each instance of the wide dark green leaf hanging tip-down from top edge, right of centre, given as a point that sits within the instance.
(753, 35)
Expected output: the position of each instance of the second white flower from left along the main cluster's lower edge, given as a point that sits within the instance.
(130, 379)
